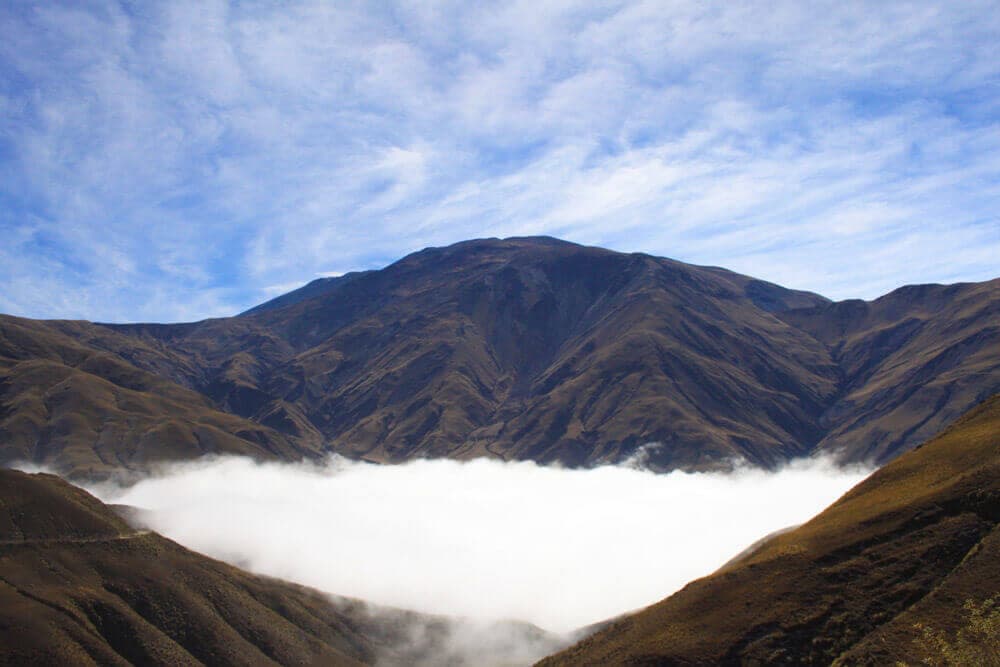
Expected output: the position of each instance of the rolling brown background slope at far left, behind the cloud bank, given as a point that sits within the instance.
(88, 412)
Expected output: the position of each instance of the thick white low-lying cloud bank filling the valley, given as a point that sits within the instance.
(484, 539)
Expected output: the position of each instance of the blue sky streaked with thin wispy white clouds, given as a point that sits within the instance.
(174, 161)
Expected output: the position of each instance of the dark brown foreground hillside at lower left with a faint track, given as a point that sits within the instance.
(79, 586)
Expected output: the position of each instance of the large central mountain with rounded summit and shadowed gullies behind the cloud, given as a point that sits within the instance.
(524, 348)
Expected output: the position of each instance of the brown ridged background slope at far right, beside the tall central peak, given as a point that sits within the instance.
(912, 361)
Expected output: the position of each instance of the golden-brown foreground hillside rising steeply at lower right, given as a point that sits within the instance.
(907, 546)
